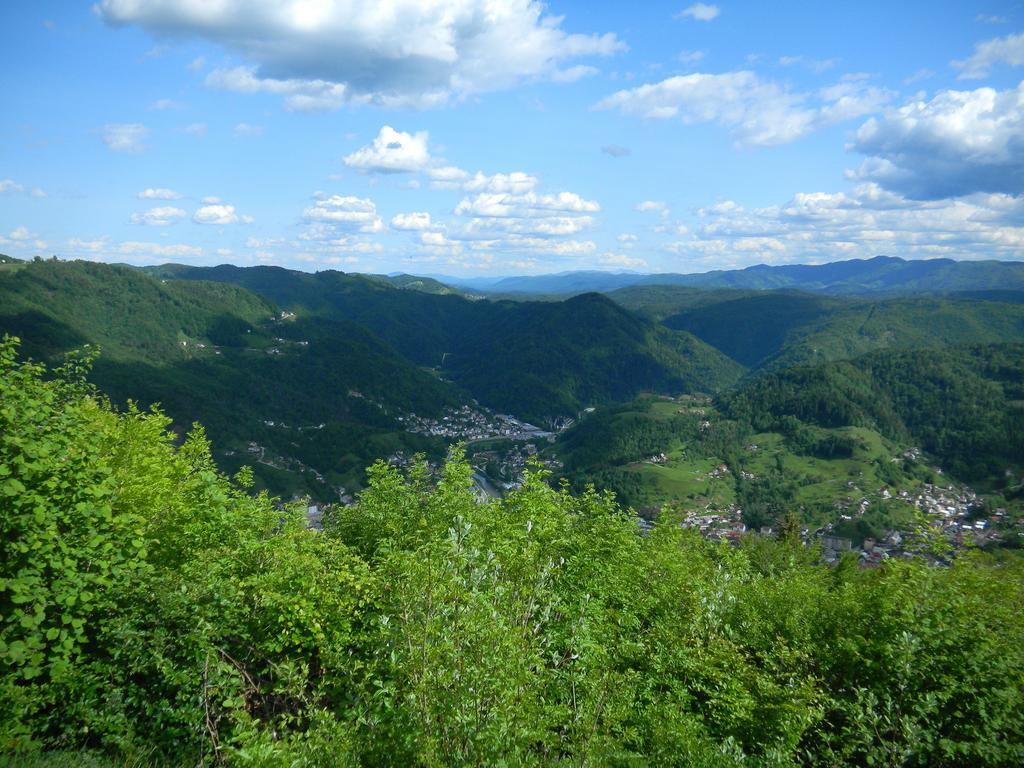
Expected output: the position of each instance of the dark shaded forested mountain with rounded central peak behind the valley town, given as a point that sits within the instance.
(536, 360)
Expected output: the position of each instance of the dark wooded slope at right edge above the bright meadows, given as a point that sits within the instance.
(961, 405)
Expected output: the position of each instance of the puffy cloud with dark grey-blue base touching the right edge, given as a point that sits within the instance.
(957, 144)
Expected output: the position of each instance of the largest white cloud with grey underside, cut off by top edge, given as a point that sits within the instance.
(321, 56)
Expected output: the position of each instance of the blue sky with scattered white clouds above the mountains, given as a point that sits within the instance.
(466, 138)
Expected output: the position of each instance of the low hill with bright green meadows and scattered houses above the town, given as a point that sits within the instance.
(684, 454)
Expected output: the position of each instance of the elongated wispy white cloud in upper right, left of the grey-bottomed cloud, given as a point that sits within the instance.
(757, 112)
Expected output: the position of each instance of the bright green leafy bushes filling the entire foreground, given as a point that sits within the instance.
(151, 608)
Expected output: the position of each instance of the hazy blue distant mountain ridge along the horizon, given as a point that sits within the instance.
(882, 275)
